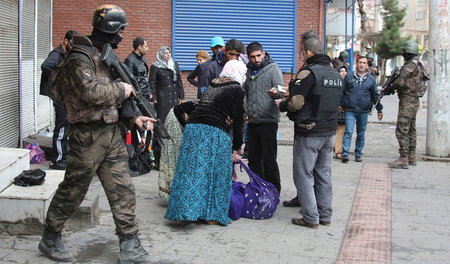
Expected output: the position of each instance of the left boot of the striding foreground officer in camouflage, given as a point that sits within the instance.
(52, 246)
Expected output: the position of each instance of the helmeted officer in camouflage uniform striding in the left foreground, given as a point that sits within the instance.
(92, 99)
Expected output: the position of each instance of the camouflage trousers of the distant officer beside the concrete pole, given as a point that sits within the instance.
(406, 123)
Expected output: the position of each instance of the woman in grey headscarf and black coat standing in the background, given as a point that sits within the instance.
(167, 86)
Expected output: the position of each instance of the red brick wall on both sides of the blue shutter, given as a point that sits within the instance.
(152, 20)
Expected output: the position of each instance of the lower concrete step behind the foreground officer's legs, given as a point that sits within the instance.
(24, 208)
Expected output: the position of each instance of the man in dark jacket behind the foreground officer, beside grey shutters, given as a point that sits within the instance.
(59, 140)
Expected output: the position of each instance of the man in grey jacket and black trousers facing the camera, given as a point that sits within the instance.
(263, 115)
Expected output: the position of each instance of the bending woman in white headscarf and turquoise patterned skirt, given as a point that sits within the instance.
(201, 187)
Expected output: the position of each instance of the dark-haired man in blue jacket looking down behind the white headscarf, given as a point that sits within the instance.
(213, 68)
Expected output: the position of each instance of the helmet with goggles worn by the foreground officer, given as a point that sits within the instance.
(109, 19)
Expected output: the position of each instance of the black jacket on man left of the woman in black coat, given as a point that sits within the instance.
(138, 66)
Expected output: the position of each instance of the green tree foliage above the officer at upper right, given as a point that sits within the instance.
(390, 41)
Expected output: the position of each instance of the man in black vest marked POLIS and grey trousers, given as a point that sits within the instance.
(311, 105)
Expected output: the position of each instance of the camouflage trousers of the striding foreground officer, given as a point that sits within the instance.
(95, 149)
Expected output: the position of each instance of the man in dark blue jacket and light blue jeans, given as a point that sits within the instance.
(358, 96)
